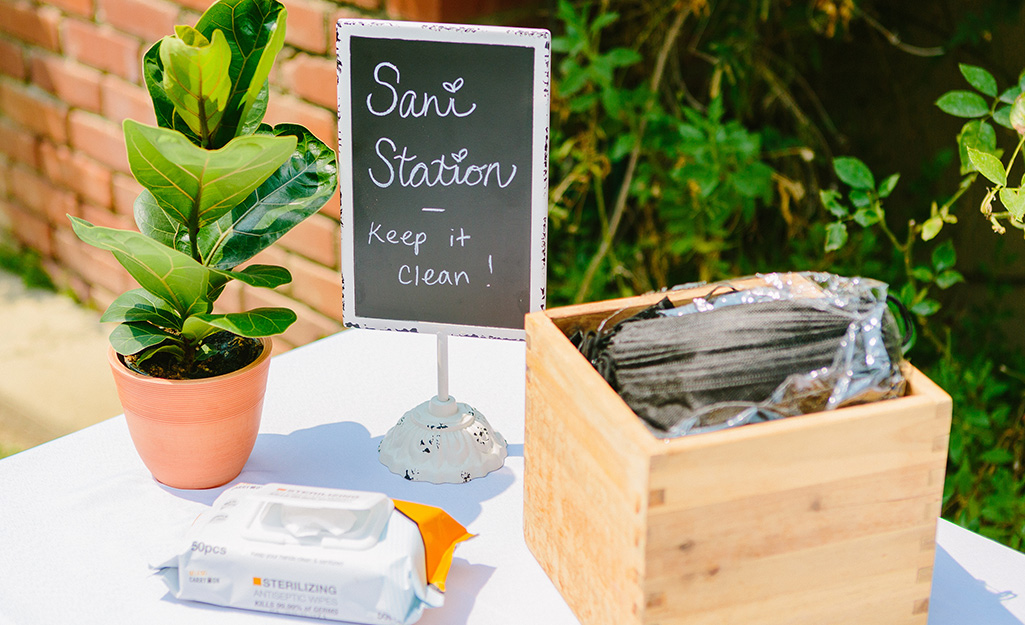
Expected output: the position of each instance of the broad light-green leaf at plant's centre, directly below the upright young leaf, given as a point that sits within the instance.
(196, 186)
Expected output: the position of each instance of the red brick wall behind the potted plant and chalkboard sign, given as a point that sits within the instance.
(70, 74)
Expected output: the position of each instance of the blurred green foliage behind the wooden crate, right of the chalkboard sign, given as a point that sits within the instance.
(703, 140)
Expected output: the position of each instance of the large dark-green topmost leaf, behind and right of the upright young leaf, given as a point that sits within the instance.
(256, 33)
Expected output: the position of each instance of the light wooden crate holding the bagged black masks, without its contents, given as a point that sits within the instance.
(821, 520)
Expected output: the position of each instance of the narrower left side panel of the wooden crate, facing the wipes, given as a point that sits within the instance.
(585, 482)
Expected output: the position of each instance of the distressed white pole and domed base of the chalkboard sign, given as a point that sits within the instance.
(443, 441)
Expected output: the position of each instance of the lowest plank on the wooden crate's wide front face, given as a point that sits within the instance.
(862, 591)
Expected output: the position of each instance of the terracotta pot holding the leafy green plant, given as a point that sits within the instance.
(194, 434)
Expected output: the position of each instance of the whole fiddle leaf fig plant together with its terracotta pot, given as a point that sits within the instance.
(219, 187)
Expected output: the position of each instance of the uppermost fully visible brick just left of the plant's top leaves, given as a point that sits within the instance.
(104, 49)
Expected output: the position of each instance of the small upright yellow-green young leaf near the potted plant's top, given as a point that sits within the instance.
(196, 77)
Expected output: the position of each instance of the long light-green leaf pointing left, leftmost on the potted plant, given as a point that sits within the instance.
(167, 273)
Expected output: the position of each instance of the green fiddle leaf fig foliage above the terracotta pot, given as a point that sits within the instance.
(219, 188)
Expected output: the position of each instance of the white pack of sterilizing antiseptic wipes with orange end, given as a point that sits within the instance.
(326, 554)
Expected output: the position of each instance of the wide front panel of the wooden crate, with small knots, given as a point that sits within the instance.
(830, 517)
